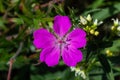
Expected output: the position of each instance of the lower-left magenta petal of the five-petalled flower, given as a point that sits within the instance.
(50, 56)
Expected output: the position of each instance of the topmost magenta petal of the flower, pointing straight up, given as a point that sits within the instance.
(61, 25)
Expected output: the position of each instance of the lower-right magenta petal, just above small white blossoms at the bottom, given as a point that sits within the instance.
(71, 56)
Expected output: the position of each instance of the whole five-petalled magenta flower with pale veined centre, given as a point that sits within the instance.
(61, 43)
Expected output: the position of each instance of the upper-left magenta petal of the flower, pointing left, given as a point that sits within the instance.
(43, 38)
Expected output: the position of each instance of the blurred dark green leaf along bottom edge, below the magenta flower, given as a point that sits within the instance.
(58, 75)
